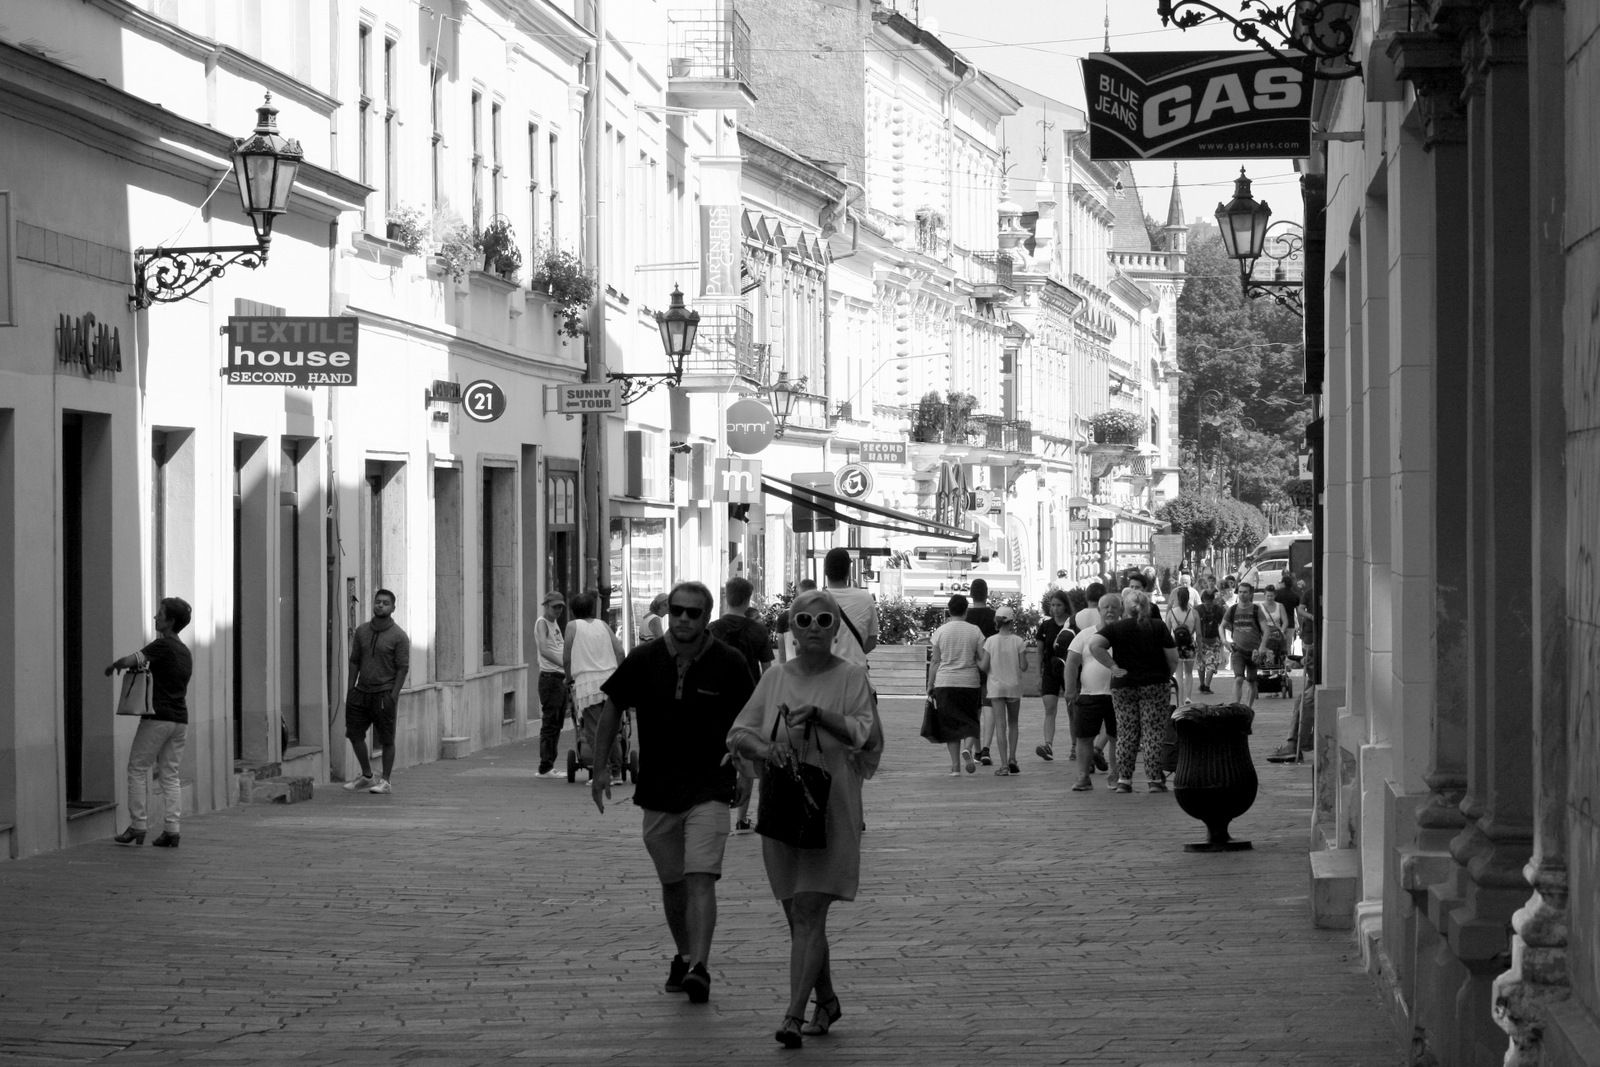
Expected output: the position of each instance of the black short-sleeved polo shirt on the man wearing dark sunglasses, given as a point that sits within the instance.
(684, 721)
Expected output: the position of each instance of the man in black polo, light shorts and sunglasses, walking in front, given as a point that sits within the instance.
(686, 692)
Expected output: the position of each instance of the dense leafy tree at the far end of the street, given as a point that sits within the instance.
(1242, 370)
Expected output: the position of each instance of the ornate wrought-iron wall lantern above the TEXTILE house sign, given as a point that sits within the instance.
(265, 169)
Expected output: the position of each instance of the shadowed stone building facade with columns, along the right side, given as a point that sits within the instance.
(1452, 342)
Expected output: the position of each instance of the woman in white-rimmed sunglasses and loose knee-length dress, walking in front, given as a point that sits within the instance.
(822, 706)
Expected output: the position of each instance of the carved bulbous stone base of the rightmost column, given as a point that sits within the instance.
(1538, 977)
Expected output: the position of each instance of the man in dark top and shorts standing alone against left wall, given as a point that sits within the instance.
(380, 661)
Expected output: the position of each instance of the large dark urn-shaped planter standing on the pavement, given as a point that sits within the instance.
(1217, 781)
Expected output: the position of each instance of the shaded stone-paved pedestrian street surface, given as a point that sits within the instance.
(482, 916)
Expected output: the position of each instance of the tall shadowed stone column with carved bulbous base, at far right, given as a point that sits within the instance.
(1538, 975)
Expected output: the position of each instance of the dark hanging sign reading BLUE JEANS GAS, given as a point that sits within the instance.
(1198, 105)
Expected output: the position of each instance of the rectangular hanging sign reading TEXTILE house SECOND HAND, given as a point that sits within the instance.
(289, 351)
